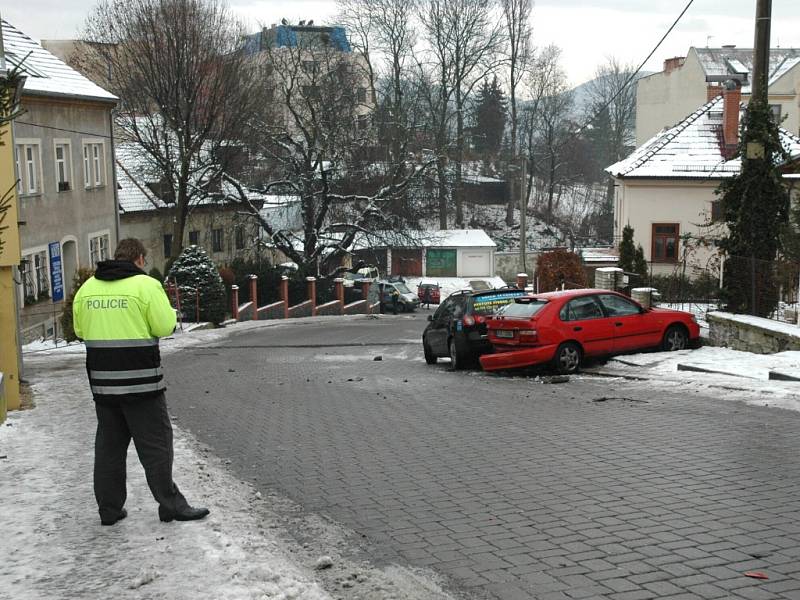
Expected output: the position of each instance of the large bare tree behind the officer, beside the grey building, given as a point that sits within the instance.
(183, 78)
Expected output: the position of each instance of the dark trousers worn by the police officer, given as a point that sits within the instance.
(146, 421)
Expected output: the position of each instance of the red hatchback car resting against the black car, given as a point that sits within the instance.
(563, 327)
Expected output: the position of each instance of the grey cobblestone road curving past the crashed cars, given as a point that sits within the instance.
(513, 489)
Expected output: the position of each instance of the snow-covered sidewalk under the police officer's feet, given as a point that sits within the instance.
(54, 546)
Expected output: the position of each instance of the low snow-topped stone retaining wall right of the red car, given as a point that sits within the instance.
(752, 334)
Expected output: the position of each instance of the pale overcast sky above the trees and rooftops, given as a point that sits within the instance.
(588, 31)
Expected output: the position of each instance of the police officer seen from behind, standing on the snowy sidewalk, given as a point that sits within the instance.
(120, 313)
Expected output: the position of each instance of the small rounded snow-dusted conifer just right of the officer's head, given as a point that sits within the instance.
(196, 275)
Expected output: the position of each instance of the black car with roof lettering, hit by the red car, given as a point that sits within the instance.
(458, 327)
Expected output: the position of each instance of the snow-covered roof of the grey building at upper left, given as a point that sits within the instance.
(46, 74)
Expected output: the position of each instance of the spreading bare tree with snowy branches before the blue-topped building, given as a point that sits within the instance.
(315, 132)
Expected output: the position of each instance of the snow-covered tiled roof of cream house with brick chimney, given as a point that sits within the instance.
(692, 149)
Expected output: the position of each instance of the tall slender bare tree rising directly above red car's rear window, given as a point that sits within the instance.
(520, 54)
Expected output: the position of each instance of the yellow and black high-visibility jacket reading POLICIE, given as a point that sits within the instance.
(120, 313)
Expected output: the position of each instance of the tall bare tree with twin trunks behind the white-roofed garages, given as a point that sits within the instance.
(465, 39)
